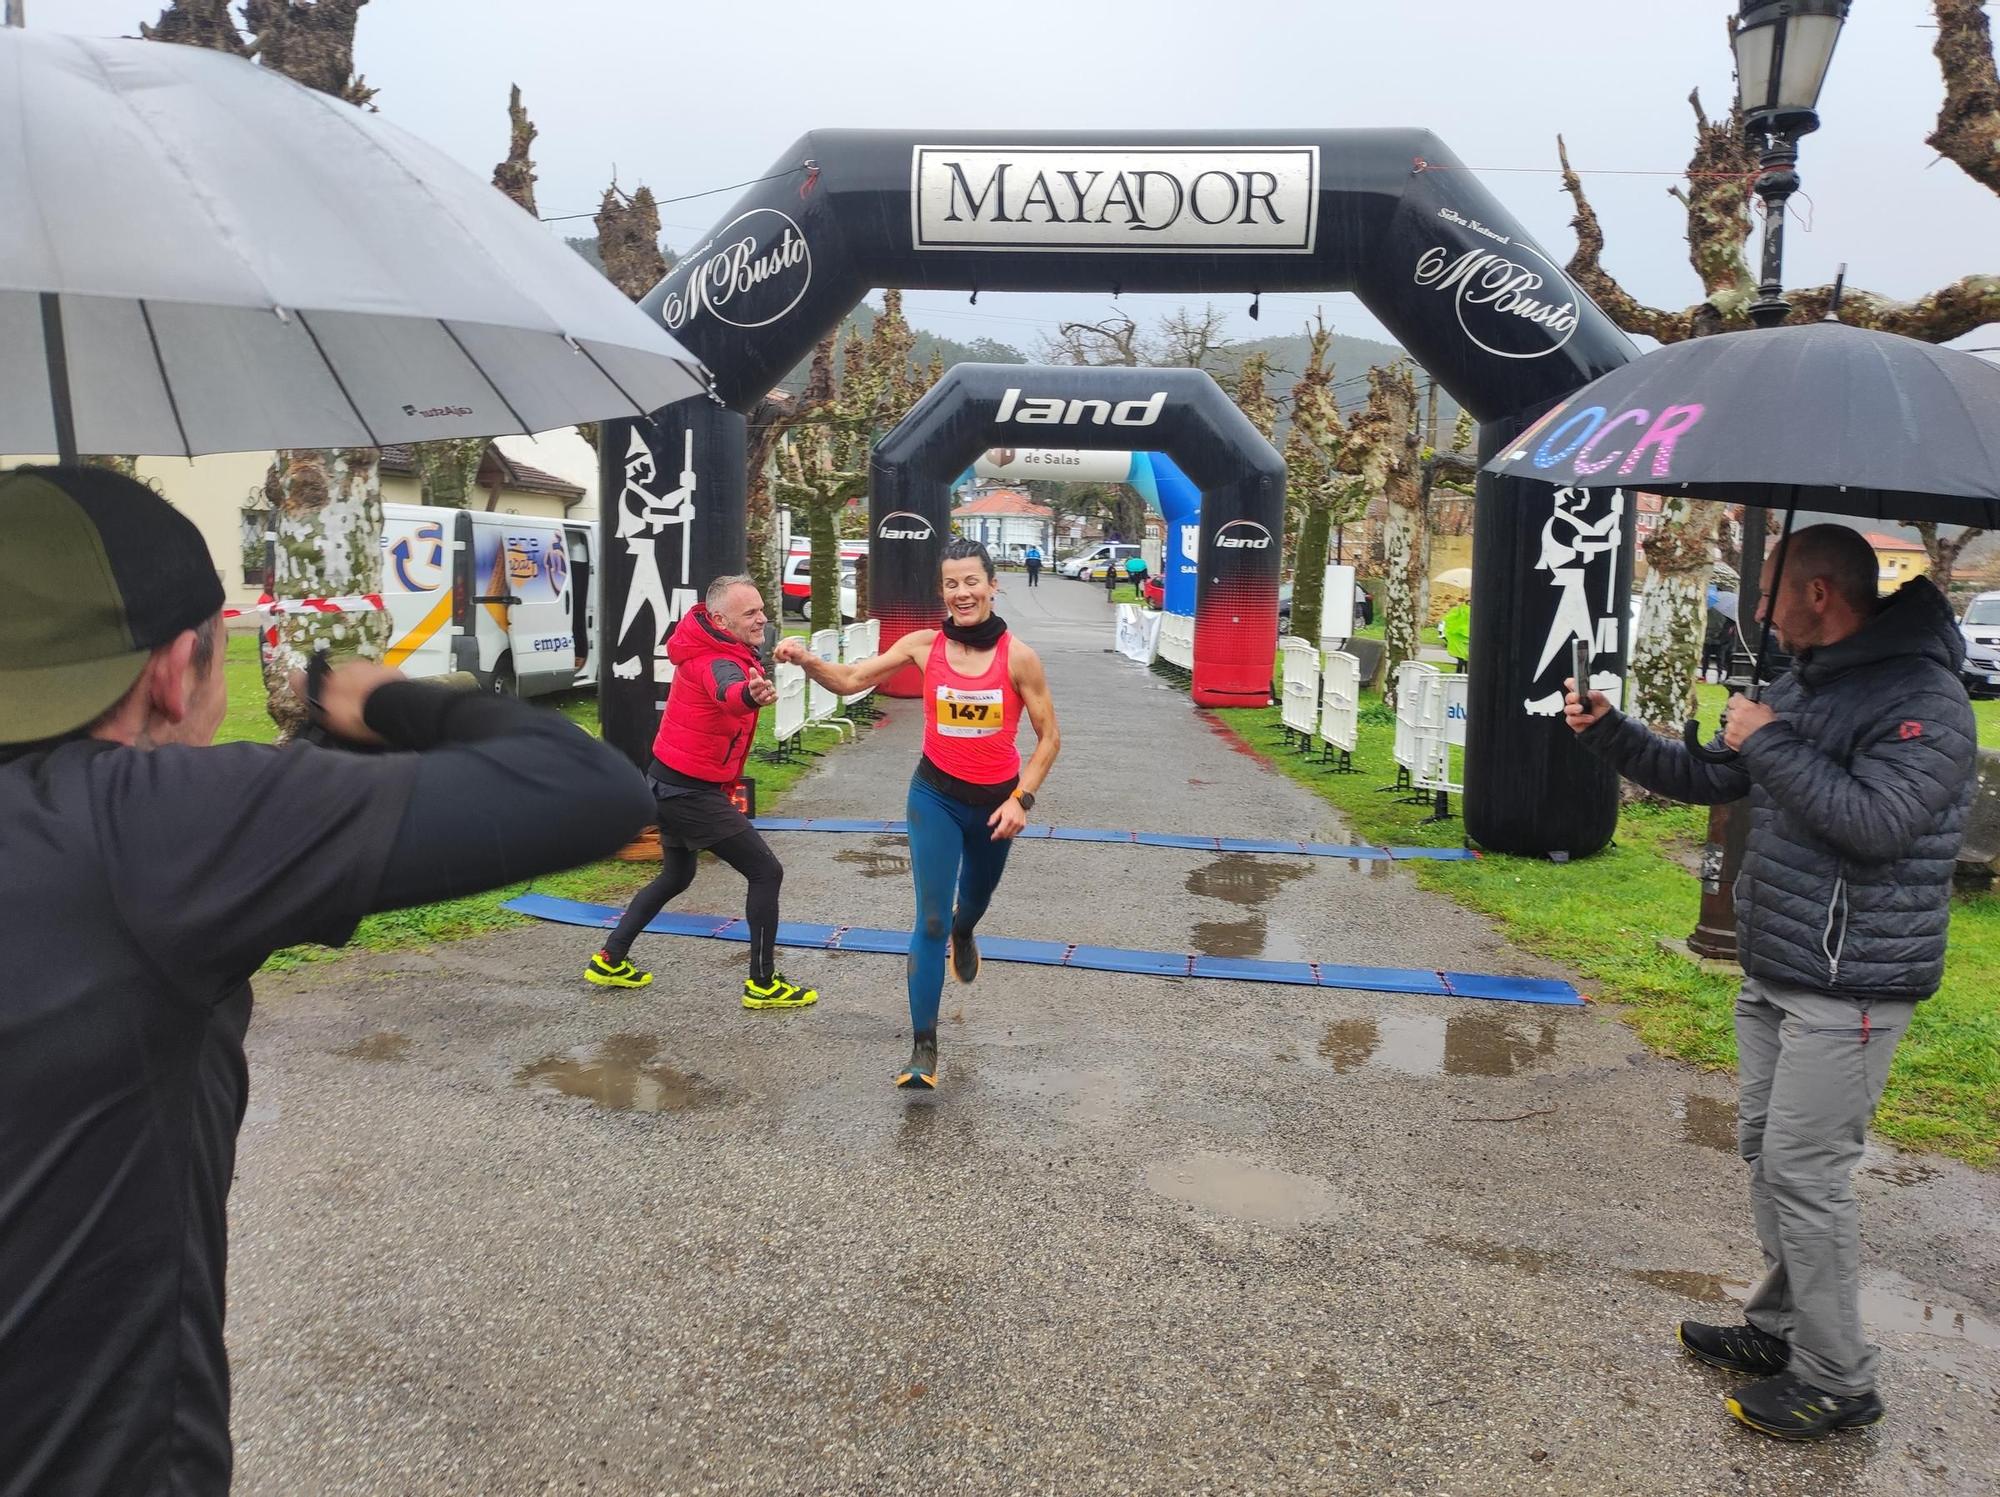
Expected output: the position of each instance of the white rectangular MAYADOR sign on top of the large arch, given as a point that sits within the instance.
(1175, 199)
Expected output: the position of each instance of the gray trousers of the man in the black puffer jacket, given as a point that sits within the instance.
(1811, 1072)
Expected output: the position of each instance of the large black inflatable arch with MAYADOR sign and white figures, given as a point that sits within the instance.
(1389, 215)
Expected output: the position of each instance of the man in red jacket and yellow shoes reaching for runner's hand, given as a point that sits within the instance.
(705, 737)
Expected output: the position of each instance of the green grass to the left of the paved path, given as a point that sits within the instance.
(599, 884)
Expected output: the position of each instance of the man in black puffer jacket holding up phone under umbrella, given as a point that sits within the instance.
(1861, 768)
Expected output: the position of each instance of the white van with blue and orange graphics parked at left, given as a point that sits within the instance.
(507, 597)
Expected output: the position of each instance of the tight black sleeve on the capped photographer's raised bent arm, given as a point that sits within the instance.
(503, 794)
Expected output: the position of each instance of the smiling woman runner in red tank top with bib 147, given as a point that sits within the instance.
(971, 794)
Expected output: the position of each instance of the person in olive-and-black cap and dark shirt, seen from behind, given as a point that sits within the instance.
(145, 876)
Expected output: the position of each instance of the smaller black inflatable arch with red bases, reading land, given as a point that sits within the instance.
(1175, 411)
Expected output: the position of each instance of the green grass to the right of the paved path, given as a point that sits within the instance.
(1605, 918)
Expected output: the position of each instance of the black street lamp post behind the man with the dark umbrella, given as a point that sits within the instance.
(1783, 51)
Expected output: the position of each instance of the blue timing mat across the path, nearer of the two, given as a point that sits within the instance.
(1099, 960)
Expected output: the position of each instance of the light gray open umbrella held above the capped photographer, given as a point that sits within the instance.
(199, 255)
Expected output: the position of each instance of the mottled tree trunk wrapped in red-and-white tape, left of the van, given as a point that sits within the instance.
(327, 513)
